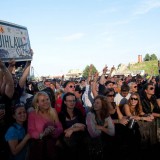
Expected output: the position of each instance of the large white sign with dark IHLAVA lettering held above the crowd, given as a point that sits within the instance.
(14, 42)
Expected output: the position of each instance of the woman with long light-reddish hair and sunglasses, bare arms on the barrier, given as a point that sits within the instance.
(133, 109)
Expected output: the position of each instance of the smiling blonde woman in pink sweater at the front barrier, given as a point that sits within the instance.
(43, 124)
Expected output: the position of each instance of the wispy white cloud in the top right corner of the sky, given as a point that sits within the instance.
(146, 6)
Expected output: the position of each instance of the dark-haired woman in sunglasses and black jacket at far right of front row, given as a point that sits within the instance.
(151, 106)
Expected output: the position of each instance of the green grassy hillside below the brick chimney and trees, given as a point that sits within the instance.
(150, 67)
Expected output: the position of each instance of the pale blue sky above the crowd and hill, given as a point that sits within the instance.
(71, 34)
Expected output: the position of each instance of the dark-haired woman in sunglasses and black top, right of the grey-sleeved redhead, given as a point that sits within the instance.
(123, 135)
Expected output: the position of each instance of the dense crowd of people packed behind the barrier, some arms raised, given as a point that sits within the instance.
(97, 117)
